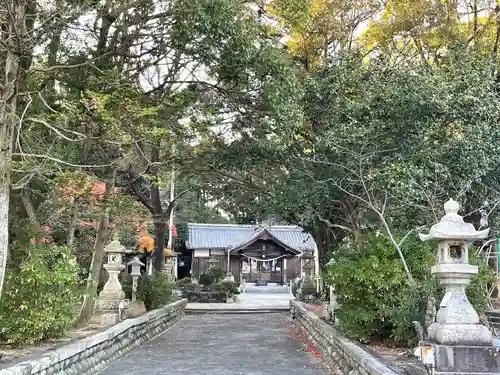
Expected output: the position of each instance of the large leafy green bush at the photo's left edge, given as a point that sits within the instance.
(40, 299)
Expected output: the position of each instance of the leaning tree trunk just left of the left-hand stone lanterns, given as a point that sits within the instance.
(96, 262)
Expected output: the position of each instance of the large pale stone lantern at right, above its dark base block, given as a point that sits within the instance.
(457, 323)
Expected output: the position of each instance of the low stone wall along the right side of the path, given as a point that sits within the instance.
(343, 356)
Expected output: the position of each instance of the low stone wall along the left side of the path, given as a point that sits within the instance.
(92, 354)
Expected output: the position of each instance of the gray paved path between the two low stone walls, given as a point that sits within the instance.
(233, 344)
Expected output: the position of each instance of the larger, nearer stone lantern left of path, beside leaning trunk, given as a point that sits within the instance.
(111, 302)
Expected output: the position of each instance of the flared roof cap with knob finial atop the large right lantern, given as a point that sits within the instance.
(453, 227)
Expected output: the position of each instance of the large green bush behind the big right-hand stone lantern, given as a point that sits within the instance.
(374, 295)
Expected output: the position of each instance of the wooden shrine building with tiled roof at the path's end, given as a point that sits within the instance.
(255, 253)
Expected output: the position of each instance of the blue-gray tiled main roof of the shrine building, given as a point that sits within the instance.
(224, 236)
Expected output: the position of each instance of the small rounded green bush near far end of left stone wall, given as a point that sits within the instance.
(155, 290)
